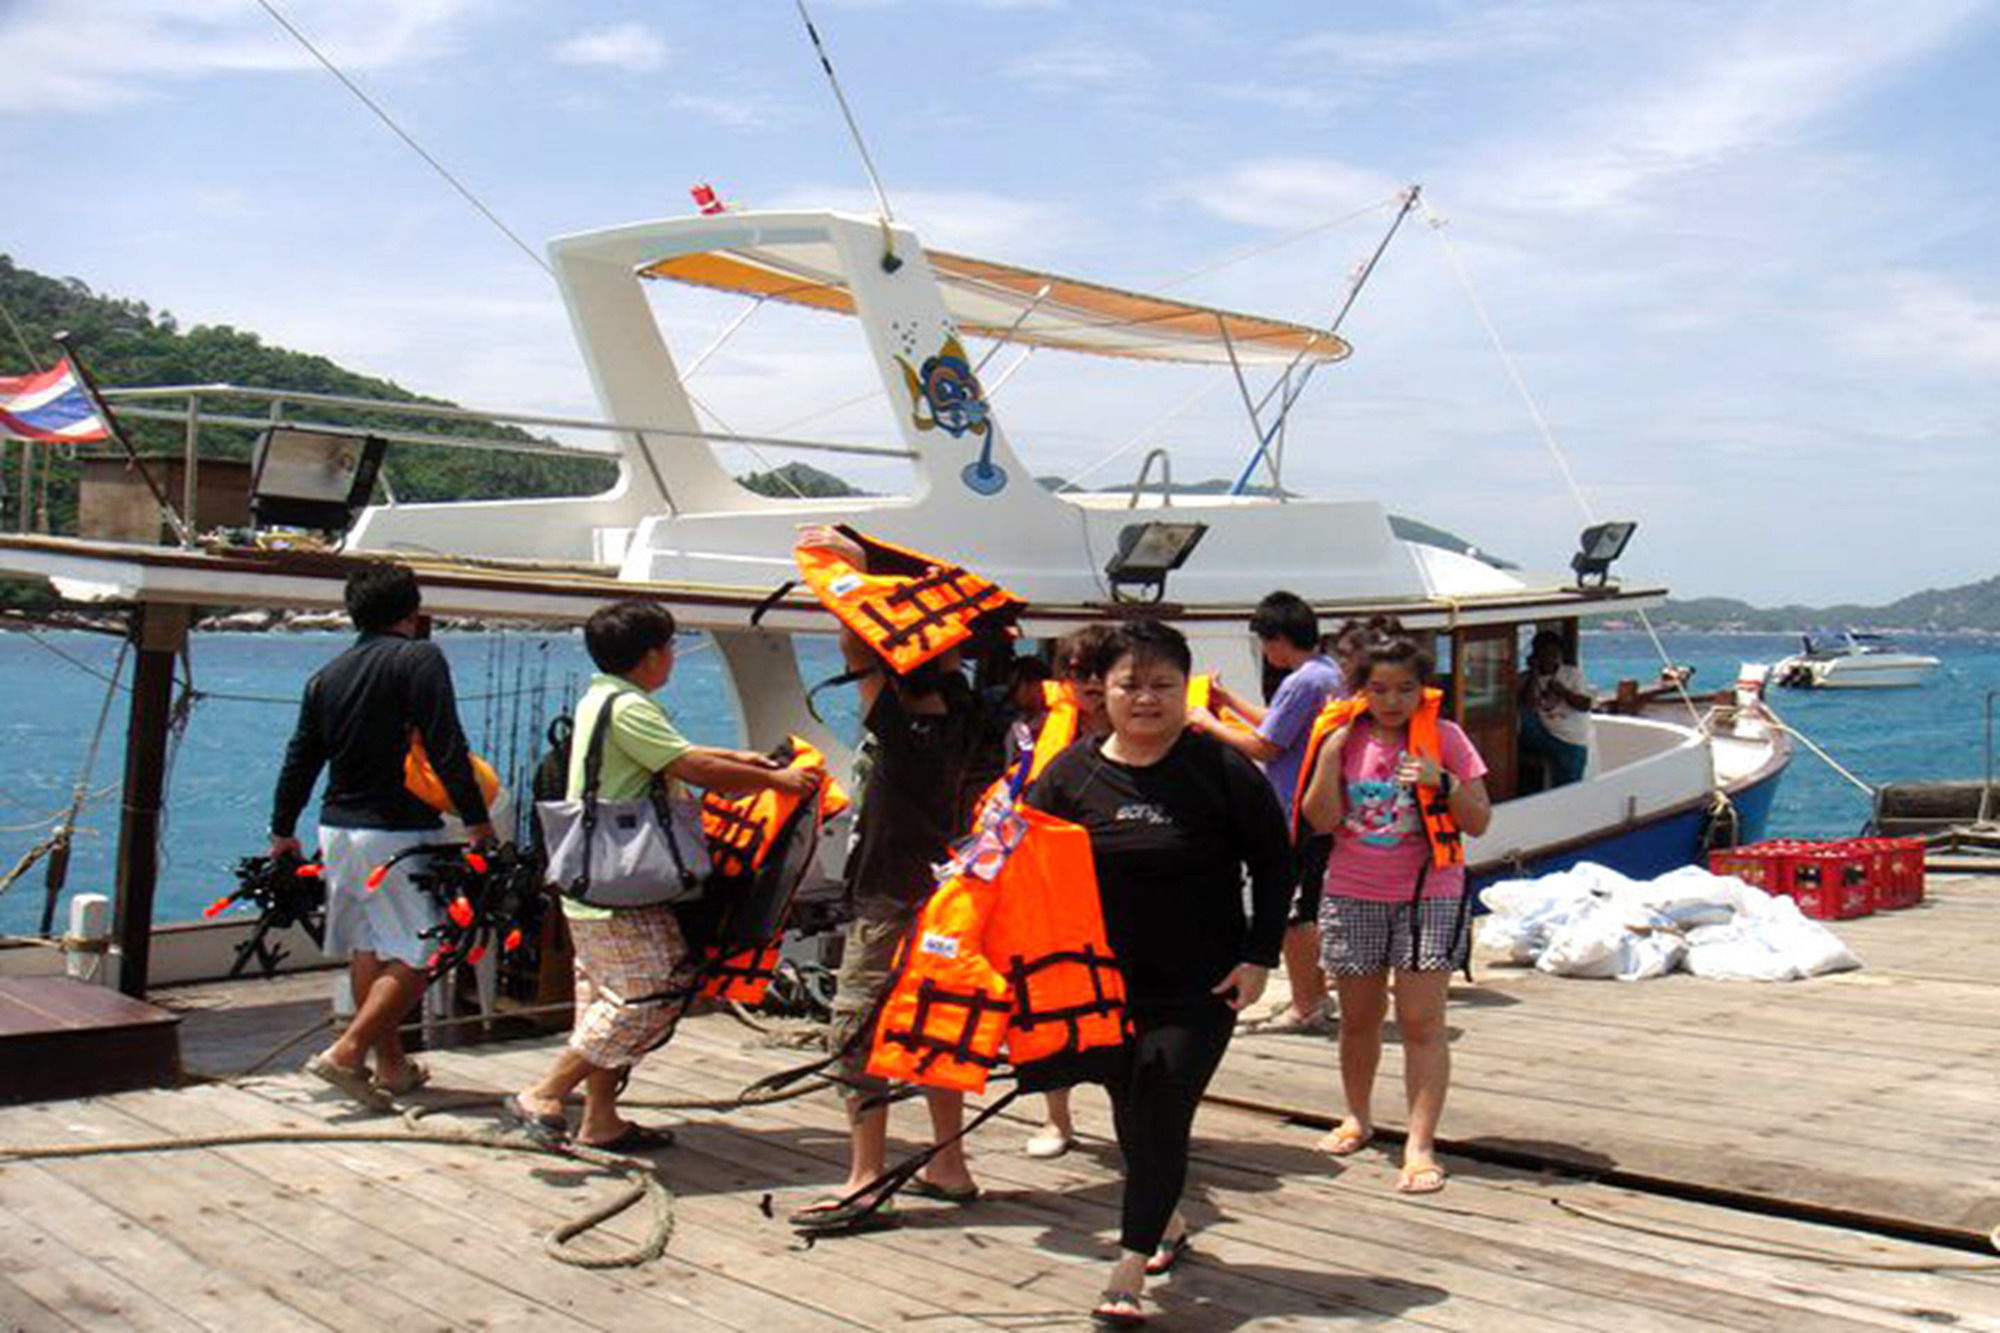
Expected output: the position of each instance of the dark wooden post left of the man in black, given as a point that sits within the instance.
(159, 635)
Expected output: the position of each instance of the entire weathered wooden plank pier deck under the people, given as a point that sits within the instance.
(1847, 1094)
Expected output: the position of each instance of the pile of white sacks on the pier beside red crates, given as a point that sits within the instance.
(1593, 922)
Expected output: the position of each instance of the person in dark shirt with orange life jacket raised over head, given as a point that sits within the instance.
(903, 621)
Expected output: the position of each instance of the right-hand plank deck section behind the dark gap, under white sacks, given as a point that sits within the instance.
(1867, 1092)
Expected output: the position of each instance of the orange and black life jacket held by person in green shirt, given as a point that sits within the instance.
(757, 846)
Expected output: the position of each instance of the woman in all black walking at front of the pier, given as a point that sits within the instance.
(1175, 822)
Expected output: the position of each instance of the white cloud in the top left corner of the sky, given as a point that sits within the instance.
(67, 57)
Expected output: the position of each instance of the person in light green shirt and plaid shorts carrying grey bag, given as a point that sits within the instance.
(635, 972)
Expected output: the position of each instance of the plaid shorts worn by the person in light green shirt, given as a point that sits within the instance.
(621, 962)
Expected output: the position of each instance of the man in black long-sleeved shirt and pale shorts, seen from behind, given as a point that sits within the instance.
(357, 722)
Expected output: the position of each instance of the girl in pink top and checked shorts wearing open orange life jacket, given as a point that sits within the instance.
(1399, 788)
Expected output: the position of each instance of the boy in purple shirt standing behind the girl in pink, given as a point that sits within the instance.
(1289, 633)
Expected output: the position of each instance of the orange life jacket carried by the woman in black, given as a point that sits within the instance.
(1007, 964)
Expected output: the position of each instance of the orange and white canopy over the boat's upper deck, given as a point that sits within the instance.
(999, 301)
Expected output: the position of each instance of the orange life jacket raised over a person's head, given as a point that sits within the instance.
(907, 607)
